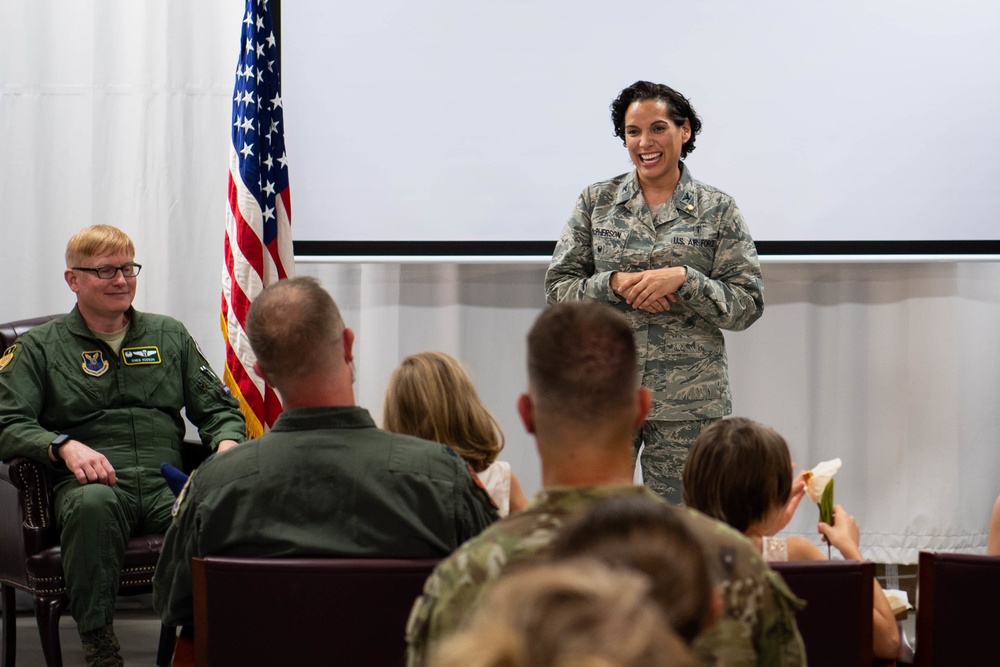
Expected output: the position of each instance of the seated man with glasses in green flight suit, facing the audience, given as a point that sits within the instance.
(96, 396)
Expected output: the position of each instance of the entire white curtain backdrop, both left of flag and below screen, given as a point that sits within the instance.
(118, 112)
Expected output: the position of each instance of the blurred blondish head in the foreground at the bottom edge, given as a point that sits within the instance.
(577, 613)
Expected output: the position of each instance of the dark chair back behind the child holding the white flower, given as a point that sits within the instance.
(836, 623)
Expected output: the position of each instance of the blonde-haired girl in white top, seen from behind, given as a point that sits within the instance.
(431, 396)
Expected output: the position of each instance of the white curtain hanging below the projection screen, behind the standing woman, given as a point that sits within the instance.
(891, 367)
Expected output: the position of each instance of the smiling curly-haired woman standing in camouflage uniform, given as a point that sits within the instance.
(676, 258)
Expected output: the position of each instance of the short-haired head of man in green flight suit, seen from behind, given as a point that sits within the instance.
(302, 346)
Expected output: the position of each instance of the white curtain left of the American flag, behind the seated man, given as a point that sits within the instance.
(118, 112)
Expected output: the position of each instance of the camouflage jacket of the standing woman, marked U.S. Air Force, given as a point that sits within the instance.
(682, 354)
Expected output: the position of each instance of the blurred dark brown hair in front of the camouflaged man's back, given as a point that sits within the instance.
(644, 535)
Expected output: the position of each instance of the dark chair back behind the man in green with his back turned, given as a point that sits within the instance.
(304, 611)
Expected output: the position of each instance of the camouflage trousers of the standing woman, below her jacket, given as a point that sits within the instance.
(666, 448)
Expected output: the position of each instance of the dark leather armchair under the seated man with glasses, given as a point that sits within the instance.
(30, 557)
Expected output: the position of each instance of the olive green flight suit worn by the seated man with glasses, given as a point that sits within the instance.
(60, 378)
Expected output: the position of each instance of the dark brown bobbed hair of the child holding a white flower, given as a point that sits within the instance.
(739, 472)
